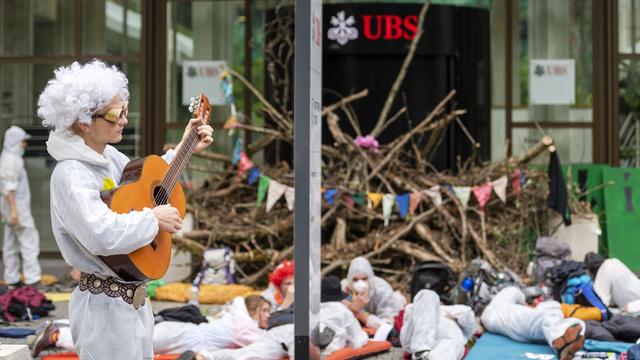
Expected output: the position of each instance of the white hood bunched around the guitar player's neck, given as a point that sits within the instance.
(64, 145)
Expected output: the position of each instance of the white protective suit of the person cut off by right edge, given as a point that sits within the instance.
(615, 284)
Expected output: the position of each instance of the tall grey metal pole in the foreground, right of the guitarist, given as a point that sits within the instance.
(307, 152)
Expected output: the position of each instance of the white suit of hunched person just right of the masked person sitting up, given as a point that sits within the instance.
(441, 329)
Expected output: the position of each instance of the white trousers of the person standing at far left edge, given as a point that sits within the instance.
(23, 242)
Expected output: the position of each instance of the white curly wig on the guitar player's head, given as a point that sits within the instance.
(77, 91)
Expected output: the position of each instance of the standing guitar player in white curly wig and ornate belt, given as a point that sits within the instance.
(86, 107)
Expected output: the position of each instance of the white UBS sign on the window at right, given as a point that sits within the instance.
(552, 82)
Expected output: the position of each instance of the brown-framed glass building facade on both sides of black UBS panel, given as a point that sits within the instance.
(151, 39)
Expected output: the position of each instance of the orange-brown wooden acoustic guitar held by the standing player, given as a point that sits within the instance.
(149, 182)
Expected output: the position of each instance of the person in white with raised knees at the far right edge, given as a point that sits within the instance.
(614, 282)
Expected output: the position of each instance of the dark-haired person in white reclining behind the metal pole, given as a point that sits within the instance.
(345, 331)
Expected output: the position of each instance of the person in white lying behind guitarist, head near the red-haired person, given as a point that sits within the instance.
(243, 324)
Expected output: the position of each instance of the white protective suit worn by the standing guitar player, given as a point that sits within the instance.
(84, 227)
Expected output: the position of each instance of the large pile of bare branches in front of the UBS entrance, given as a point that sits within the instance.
(226, 213)
